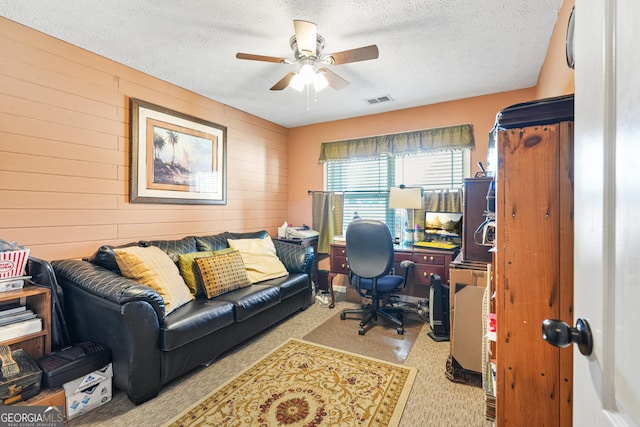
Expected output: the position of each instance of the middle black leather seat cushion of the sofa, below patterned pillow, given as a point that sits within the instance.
(252, 300)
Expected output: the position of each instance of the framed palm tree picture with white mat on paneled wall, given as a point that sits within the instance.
(176, 158)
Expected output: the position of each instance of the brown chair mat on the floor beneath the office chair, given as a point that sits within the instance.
(380, 341)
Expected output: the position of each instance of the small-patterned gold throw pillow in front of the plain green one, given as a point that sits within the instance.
(222, 272)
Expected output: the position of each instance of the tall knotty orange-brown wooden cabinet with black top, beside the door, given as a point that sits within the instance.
(533, 264)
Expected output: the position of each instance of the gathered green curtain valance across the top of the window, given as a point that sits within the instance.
(399, 144)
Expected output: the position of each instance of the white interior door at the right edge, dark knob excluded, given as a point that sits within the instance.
(607, 208)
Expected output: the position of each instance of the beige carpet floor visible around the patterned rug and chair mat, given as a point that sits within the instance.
(434, 401)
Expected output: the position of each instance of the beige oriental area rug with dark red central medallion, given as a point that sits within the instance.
(305, 384)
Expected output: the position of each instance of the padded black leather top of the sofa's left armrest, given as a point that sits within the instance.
(107, 284)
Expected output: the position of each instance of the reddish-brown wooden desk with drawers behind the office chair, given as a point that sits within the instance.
(427, 262)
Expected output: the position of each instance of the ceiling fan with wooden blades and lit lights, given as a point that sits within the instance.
(307, 46)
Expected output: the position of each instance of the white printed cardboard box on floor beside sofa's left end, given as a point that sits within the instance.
(88, 392)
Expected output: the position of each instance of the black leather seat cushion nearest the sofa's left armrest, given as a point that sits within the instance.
(193, 321)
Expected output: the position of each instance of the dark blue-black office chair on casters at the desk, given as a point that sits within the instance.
(370, 257)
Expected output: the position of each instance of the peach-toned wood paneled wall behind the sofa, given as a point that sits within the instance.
(64, 153)
